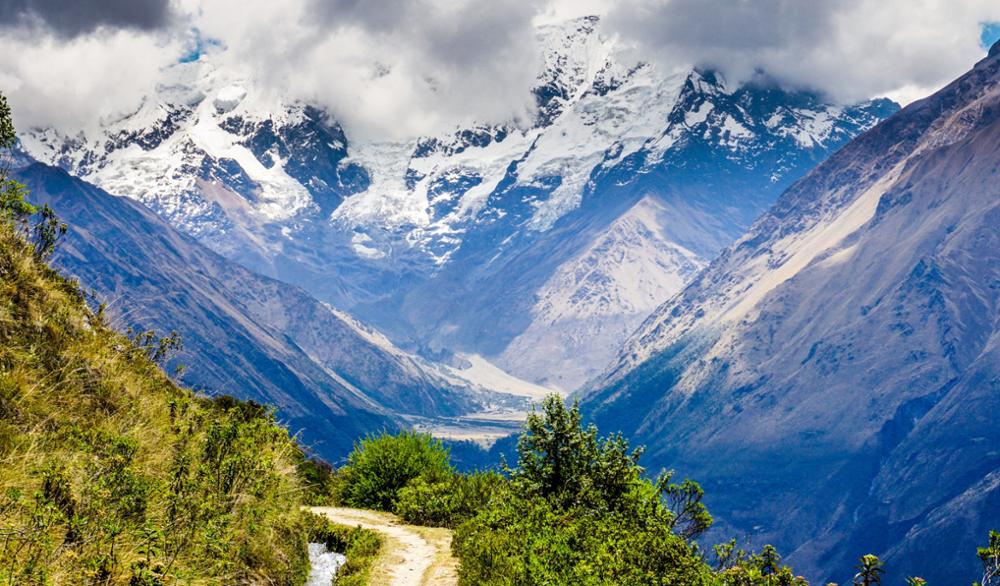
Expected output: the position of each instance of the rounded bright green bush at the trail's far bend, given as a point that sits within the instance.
(381, 465)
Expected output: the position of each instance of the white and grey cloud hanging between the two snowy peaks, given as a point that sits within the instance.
(387, 67)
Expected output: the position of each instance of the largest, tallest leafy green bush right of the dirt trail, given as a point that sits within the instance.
(578, 510)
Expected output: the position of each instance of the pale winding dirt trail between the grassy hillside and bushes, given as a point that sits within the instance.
(412, 556)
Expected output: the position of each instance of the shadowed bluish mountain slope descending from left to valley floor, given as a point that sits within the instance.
(244, 334)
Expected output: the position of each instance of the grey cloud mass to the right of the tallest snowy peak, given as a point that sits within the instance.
(847, 49)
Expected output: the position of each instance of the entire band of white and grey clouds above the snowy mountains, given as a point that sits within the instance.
(398, 68)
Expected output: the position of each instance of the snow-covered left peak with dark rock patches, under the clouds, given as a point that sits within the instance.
(206, 152)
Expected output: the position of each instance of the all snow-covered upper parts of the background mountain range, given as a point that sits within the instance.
(201, 132)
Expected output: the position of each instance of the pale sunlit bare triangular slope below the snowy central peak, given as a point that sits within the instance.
(592, 302)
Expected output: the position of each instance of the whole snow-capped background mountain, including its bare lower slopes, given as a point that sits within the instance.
(485, 240)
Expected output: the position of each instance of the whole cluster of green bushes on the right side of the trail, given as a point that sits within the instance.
(576, 510)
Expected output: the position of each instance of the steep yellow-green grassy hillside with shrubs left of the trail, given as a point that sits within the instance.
(109, 472)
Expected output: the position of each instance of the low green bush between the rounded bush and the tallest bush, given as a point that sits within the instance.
(449, 501)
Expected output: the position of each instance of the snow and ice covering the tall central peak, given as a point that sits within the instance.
(446, 187)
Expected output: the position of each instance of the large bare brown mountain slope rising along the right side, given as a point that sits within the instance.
(834, 376)
